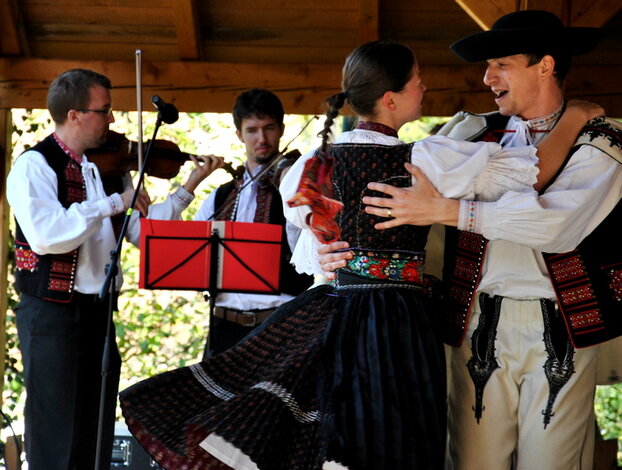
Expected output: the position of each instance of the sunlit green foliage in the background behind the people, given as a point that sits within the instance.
(161, 330)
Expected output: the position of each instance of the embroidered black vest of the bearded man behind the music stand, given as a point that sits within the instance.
(269, 211)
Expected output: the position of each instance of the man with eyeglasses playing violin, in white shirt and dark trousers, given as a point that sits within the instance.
(64, 235)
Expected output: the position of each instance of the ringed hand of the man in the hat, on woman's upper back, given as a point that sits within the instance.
(420, 204)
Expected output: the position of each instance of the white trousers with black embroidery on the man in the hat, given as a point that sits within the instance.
(511, 432)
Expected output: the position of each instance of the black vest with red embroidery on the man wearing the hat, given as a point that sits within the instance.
(587, 281)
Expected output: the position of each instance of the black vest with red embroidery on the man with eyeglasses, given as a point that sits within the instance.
(52, 276)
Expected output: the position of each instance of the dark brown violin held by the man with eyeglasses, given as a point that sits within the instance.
(118, 155)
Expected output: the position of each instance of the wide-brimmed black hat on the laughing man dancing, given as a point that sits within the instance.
(527, 32)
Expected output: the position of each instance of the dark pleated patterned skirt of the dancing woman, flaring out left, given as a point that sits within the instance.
(351, 379)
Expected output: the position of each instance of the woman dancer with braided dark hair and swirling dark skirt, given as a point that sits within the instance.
(349, 375)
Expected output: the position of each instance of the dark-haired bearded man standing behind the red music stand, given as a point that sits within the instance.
(258, 118)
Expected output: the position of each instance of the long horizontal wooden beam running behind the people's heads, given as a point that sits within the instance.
(212, 87)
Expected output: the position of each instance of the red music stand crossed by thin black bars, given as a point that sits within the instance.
(218, 256)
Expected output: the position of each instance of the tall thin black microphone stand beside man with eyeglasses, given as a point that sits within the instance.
(109, 286)
